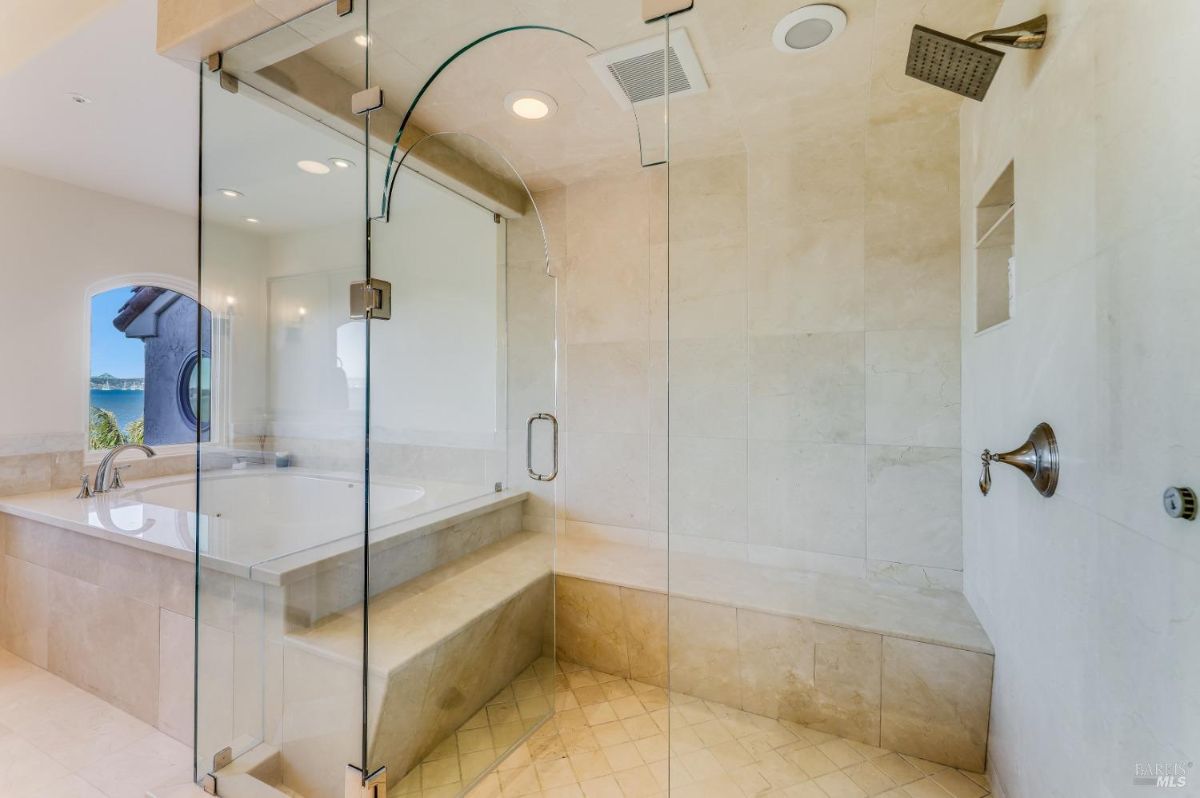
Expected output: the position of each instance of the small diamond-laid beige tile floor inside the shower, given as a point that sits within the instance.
(609, 740)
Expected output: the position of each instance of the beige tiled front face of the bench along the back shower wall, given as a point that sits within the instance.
(927, 700)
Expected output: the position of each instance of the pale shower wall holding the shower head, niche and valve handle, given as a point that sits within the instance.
(1090, 597)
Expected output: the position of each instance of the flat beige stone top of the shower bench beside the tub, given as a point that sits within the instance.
(422, 614)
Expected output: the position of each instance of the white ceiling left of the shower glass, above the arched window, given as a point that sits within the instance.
(139, 136)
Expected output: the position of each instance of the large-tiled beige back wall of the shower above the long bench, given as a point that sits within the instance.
(813, 314)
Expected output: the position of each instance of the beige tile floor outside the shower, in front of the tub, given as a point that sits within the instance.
(57, 740)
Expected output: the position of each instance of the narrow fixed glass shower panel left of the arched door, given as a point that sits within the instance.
(281, 485)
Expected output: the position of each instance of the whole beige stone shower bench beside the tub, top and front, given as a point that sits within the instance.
(442, 645)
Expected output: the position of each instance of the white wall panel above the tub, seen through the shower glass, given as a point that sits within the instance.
(437, 377)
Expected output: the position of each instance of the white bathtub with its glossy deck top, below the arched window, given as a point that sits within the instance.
(250, 520)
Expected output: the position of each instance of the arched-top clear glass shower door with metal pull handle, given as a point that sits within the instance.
(460, 664)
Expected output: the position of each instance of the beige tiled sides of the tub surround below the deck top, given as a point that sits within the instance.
(113, 613)
